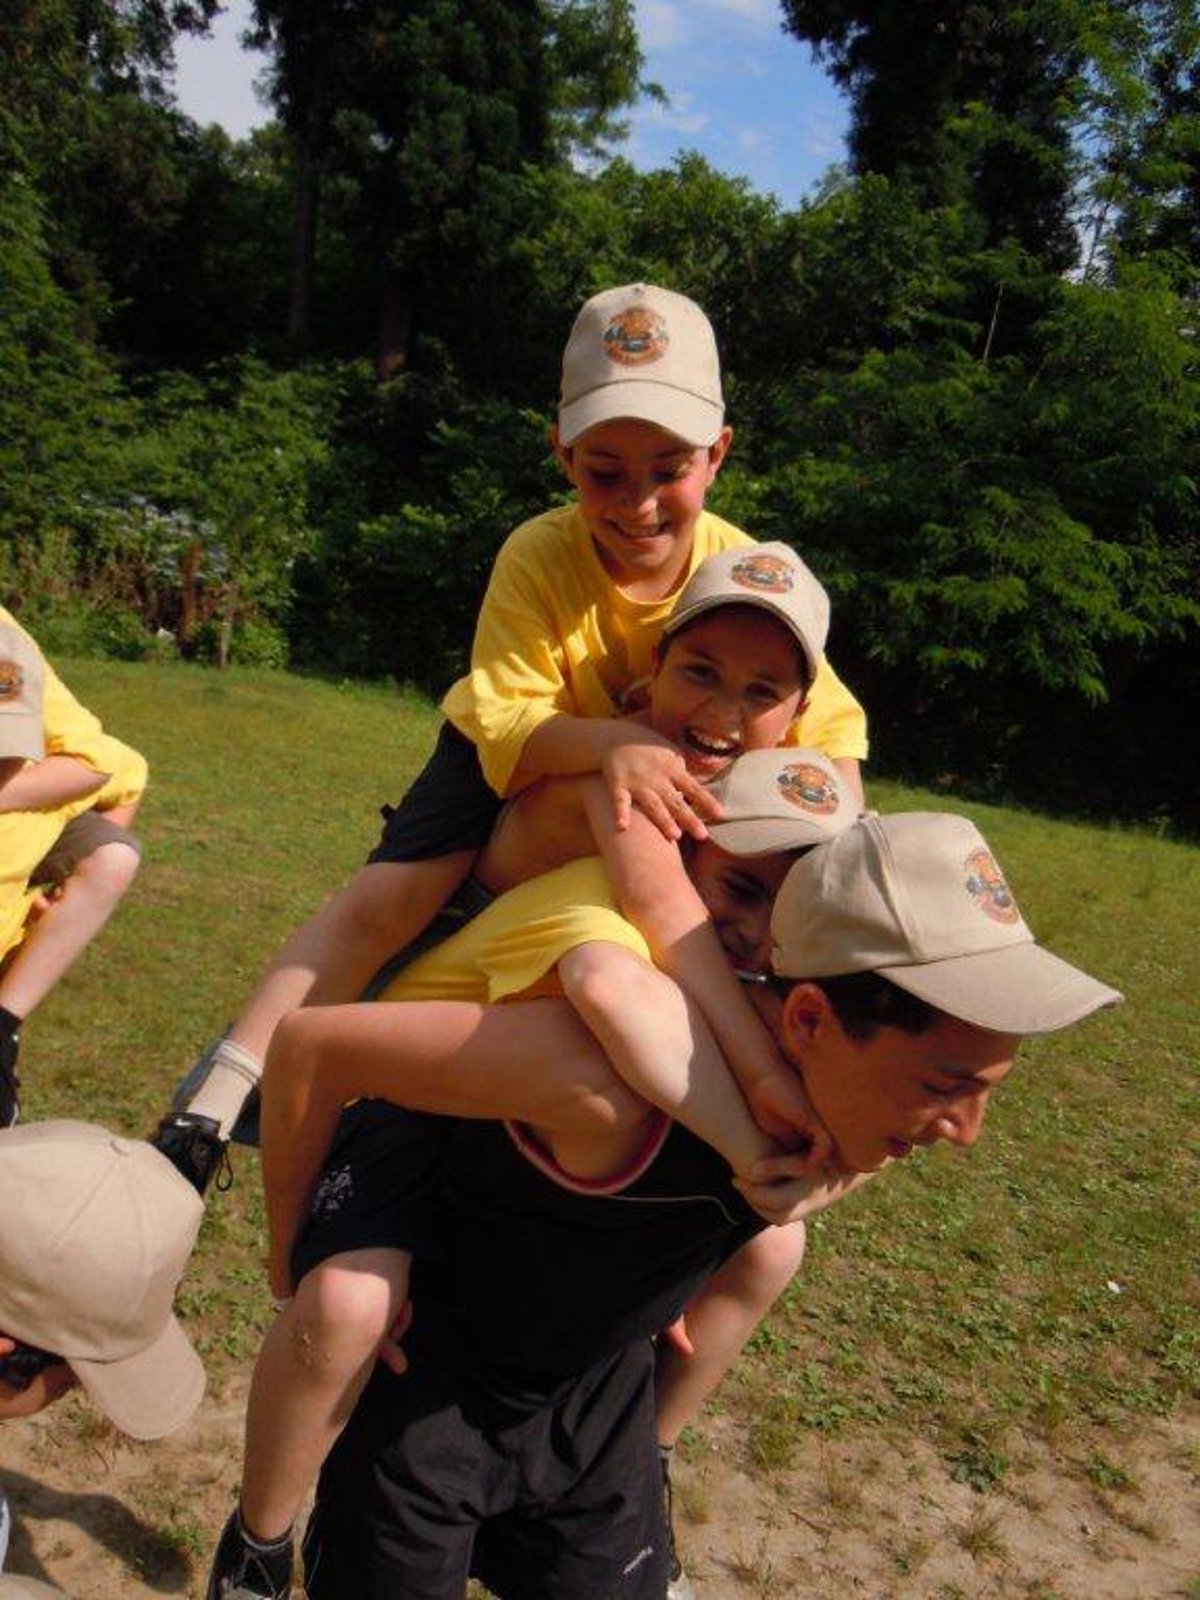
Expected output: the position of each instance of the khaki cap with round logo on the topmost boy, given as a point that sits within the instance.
(642, 353)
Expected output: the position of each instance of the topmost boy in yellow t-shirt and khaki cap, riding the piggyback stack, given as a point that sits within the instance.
(575, 607)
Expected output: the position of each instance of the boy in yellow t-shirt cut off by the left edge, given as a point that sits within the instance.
(68, 793)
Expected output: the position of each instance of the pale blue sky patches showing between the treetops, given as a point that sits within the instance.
(742, 92)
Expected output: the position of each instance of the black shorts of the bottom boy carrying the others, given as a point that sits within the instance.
(434, 1482)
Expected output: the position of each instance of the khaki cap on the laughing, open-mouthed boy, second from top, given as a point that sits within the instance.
(770, 577)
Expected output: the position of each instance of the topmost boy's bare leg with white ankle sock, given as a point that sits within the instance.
(329, 961)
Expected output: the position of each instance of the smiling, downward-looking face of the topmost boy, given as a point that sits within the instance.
(641, 492)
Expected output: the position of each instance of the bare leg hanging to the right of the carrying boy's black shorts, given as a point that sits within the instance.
(719, 1322)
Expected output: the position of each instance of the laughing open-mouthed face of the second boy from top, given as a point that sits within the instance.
(730, 682)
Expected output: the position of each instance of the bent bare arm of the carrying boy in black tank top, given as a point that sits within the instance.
(534, 1062)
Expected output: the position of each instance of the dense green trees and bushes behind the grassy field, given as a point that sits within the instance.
(282, 401)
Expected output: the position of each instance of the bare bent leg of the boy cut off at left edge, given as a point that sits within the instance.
(70, 924)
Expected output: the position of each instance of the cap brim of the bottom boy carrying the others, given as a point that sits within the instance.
(1018, 990)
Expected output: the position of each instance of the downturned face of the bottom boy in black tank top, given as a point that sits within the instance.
(884, 1095)
